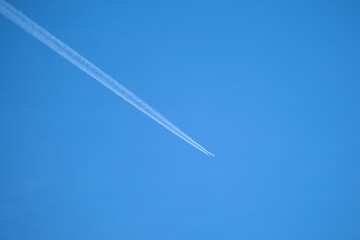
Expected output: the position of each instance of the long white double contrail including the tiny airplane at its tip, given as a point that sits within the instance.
(72, 56)
